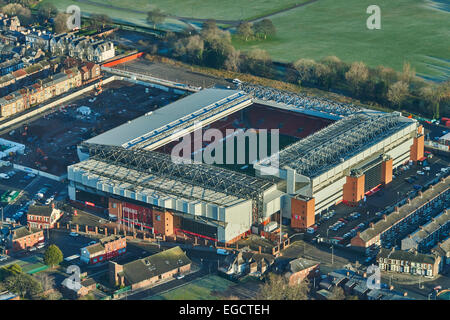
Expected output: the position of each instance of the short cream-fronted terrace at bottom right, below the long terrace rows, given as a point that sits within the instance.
(410, 262)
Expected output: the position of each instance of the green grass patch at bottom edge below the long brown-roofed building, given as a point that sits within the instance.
(201, 289)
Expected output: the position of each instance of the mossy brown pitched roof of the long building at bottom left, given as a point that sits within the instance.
(160, 263)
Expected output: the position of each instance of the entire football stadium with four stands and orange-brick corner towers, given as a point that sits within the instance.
(320, 153)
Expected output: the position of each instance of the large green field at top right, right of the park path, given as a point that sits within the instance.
(410, 31)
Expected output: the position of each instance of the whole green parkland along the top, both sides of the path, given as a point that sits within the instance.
(411, 30)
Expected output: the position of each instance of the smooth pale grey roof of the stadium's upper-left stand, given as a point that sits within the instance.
(173, 112)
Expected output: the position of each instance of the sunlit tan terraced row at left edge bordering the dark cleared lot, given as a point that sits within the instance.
(47, 88)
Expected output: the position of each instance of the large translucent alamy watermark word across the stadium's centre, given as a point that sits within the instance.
(212, 146)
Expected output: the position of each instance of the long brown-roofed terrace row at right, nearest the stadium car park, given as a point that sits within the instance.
(402, 219)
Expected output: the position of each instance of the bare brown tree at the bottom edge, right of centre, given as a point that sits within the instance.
(277, 288)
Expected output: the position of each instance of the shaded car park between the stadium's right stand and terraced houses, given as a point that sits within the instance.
(342, 222)
